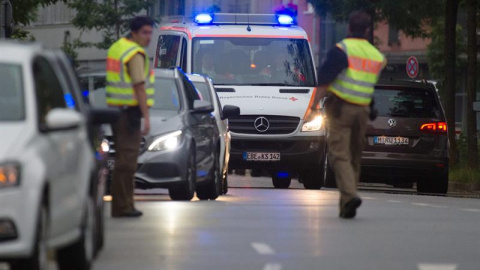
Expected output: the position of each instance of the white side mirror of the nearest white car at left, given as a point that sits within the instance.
(62, 119)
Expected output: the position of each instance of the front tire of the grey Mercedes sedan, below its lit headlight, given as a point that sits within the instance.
(186, 190)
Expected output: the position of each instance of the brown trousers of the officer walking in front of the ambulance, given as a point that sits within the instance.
(347, 127)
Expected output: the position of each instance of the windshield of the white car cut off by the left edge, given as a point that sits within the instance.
(12, 105)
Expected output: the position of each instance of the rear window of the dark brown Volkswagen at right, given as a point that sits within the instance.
(407, 102)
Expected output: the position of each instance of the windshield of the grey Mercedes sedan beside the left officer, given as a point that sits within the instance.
(166, 95)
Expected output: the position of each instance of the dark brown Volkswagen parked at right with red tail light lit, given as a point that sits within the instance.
(408, 140)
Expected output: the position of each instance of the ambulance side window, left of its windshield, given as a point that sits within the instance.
(167, 51)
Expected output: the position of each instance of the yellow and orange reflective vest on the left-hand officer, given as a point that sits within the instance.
(119, 87)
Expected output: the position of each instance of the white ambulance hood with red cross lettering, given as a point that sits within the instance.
(266, 100)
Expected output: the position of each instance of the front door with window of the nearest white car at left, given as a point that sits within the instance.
(61, 154)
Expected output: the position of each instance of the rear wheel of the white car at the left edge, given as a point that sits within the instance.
(79, 255)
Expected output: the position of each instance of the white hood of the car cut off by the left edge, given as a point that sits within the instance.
(13, 137)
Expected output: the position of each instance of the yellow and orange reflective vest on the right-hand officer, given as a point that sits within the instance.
(356, 83)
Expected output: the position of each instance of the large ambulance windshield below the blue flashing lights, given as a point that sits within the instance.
(254, 61)
